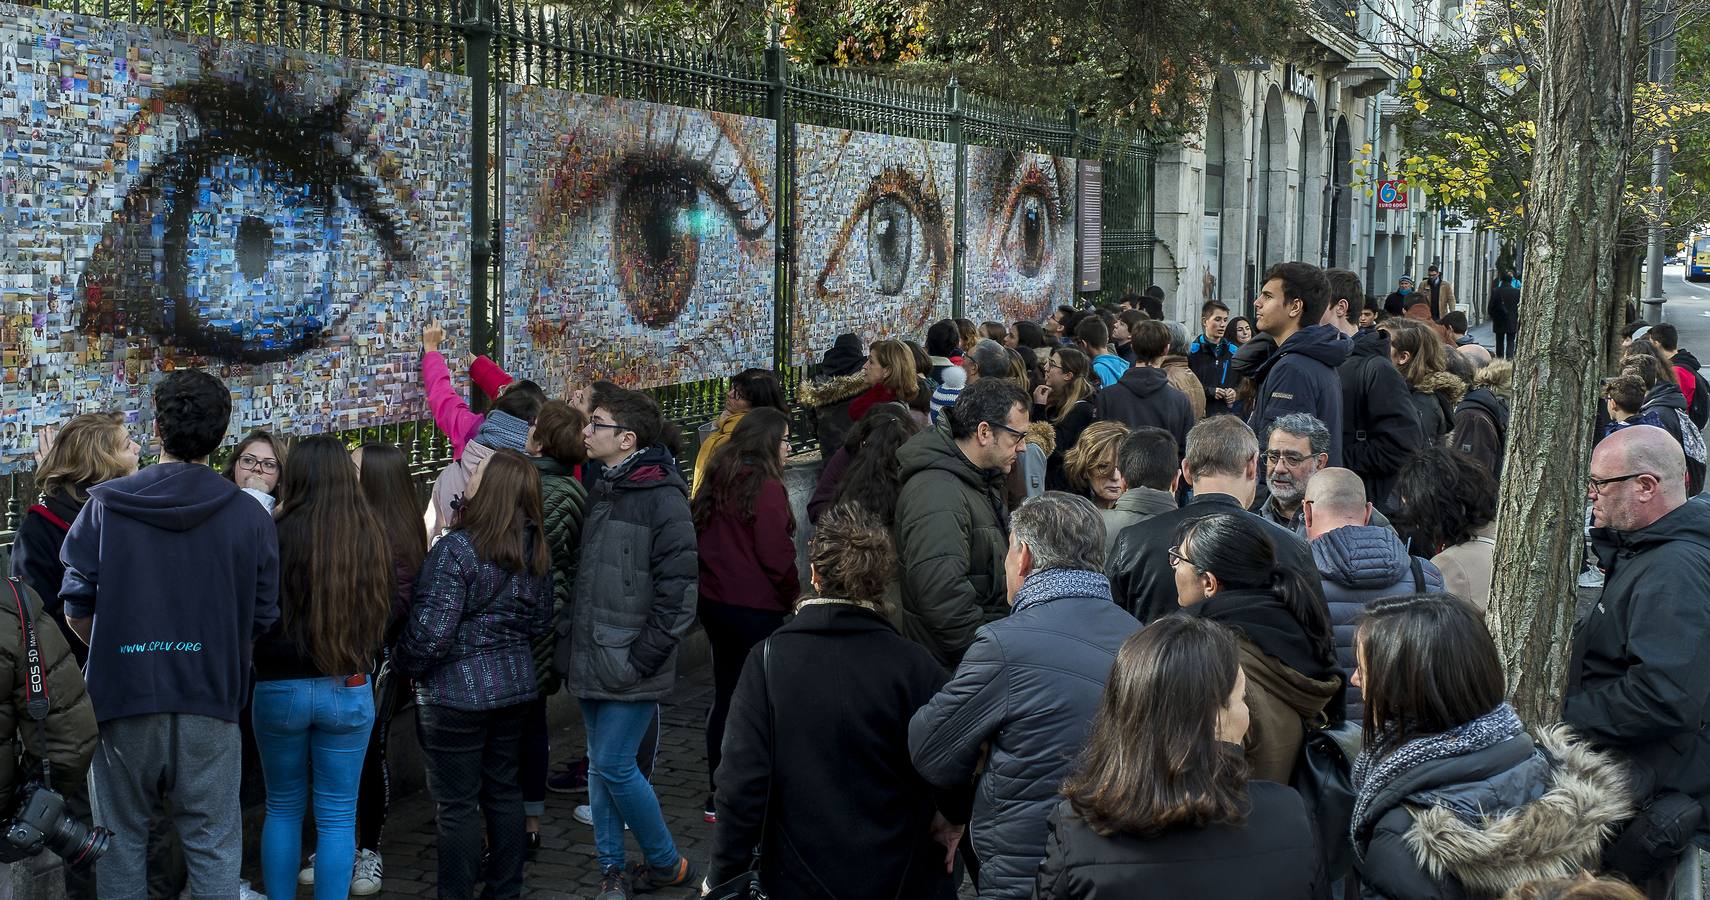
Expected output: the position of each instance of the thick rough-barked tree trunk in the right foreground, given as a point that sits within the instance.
(1579, 169)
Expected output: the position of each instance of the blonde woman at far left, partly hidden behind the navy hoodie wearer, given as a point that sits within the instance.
(88, 451)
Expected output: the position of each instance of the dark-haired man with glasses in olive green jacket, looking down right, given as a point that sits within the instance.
(952, 519)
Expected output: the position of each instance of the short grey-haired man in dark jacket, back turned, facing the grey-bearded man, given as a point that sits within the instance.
(1222, 466)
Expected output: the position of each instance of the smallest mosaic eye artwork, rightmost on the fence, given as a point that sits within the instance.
(1020, 225)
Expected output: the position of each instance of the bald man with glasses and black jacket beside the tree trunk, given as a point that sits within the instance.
(1641, 678)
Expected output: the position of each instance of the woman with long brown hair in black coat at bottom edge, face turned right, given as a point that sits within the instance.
(1160, 805)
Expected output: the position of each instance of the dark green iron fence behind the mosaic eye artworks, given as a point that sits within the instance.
(510, 42)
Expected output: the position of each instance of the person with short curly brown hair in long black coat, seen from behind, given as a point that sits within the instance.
(849, 817)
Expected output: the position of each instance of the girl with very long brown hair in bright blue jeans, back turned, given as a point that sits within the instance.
(314, 708)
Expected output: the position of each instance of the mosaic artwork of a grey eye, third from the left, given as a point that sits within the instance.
(875, 251)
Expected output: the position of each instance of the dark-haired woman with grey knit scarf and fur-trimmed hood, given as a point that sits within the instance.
(1442, 742)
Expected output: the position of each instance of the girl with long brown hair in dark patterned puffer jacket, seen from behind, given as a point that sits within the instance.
(483, 596)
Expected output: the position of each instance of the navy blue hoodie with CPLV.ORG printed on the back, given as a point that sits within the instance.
(180, 571)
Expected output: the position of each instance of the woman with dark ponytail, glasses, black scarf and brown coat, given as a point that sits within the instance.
(1227, 571)
